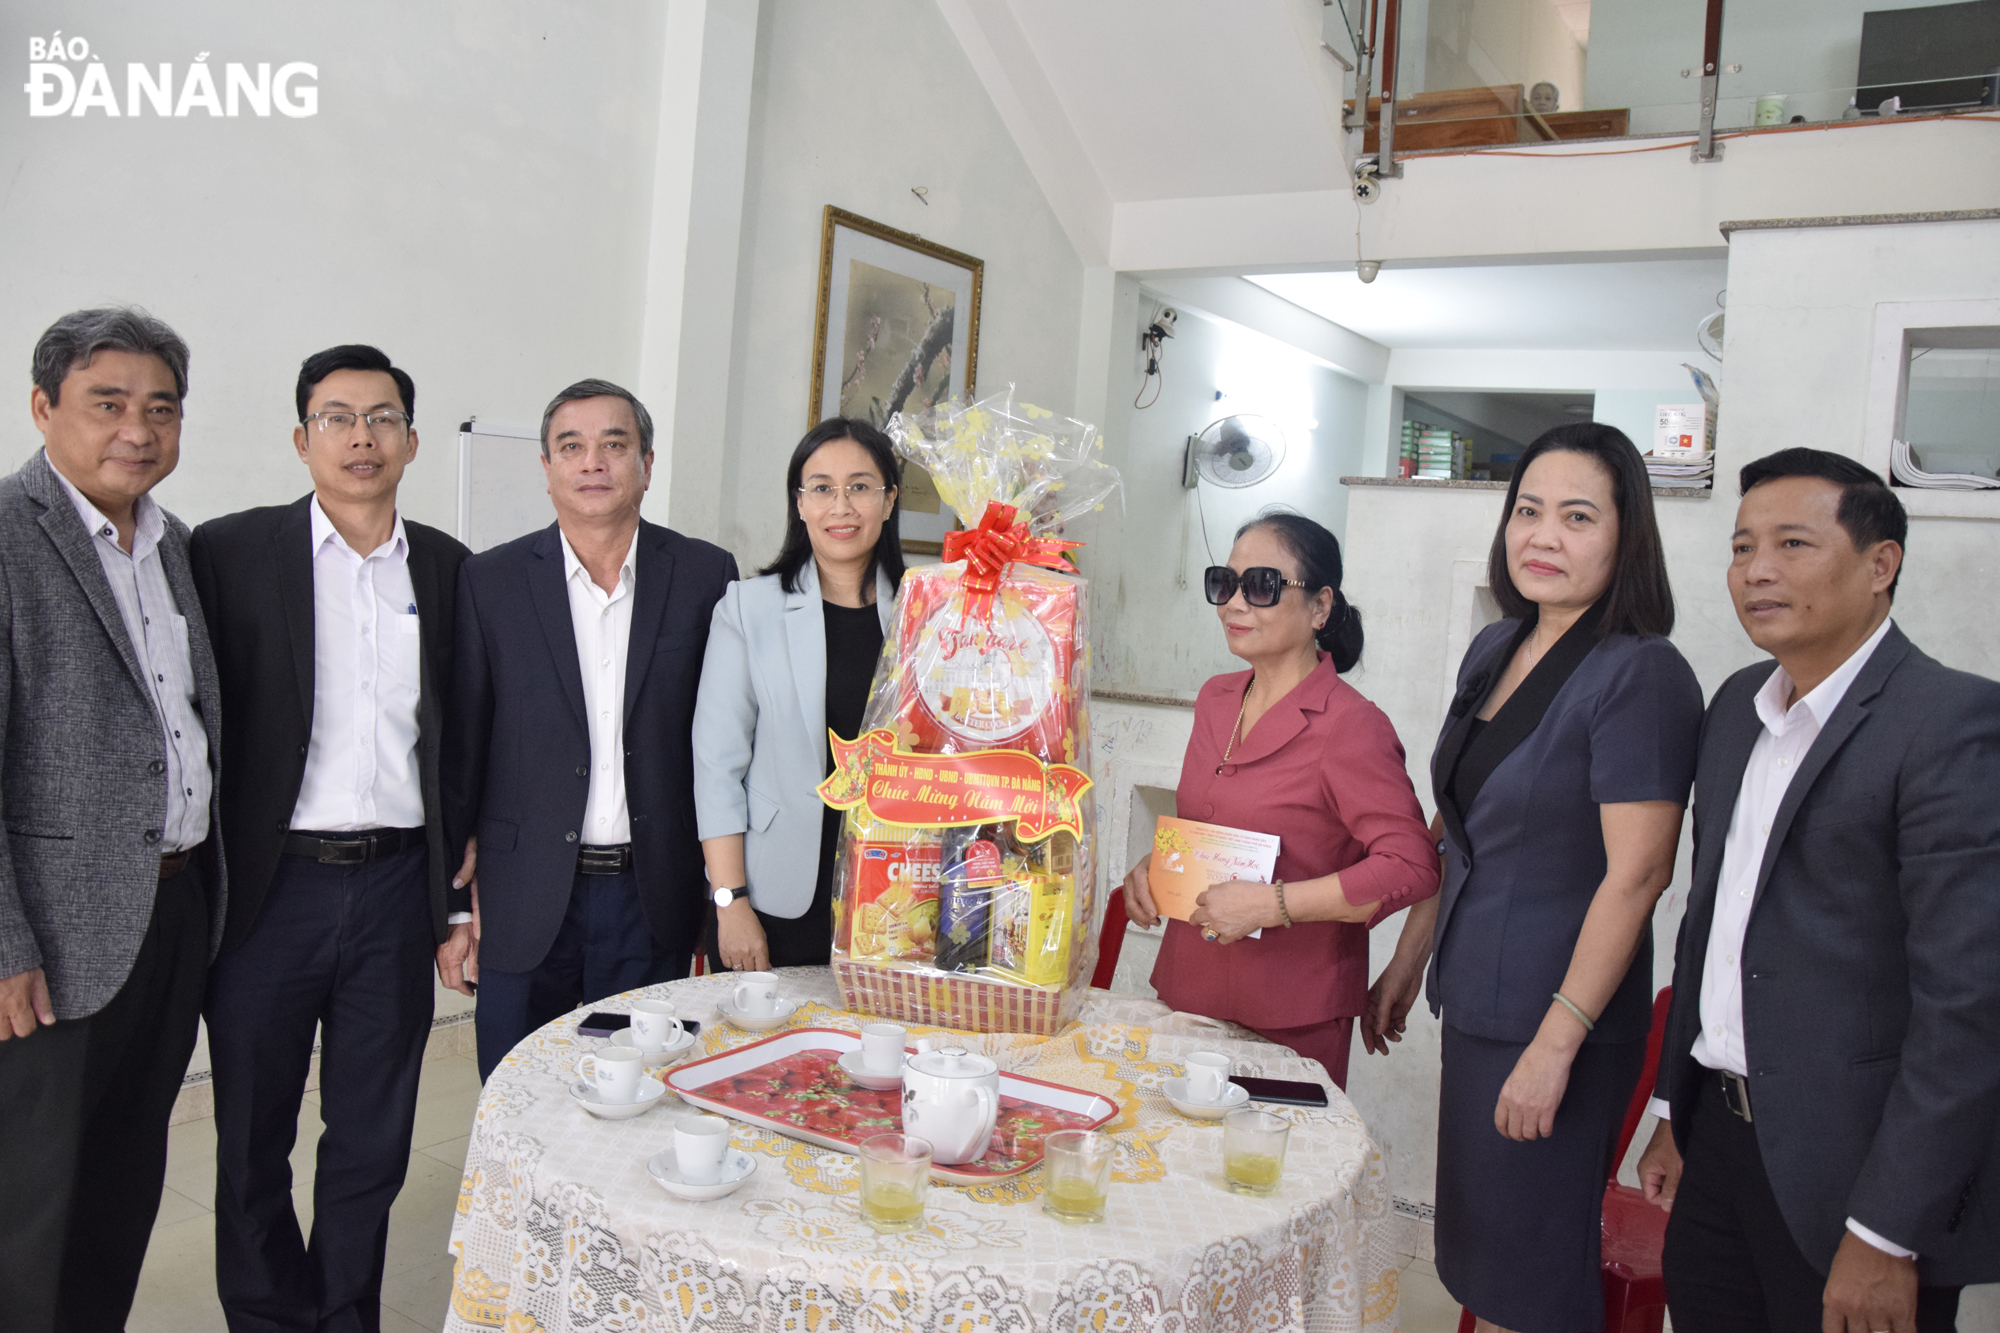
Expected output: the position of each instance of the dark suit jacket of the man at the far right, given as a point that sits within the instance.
(1871, 966)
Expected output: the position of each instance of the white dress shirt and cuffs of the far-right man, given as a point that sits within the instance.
(1789, 734)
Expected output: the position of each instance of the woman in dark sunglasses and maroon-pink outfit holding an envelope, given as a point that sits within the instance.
(1295, 752)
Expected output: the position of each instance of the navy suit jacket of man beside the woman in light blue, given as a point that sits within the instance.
(519, 752)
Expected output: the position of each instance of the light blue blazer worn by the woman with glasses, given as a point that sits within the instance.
(761, 732)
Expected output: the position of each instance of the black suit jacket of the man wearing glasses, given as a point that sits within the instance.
(253, 573)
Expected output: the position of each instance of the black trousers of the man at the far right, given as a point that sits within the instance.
(1731, 1260)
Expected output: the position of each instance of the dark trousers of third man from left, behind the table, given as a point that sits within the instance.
(603, 948)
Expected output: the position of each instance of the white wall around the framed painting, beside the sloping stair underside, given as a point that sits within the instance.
(855, 107)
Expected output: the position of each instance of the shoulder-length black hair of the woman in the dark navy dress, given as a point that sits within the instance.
(1639, 599)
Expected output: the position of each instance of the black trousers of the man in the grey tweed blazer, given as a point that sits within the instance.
(83, 1132)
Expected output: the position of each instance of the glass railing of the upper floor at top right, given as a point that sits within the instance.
(1511, 73)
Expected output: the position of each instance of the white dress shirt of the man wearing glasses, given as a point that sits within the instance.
(361, 764)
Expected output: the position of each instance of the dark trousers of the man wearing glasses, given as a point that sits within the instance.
(347, 954)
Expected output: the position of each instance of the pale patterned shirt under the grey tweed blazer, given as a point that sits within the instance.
(159, 637)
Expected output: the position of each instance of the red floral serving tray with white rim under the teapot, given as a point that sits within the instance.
(791, 1084)
